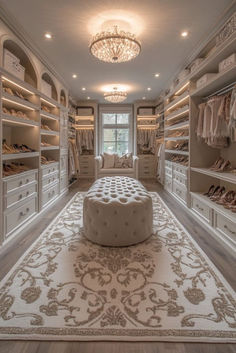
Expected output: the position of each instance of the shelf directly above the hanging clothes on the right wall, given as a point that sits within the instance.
(221, 79)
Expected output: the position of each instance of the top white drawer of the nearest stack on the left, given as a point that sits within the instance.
(19, 181)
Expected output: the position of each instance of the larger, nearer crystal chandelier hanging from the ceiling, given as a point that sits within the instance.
(115, 46)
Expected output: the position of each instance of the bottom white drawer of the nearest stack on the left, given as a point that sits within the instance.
(17, 217)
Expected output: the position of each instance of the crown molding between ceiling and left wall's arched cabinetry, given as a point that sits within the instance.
(11, 22)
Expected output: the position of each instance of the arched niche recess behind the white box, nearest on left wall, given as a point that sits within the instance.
(30, 73)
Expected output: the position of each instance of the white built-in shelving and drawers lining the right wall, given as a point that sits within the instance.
(188, 182)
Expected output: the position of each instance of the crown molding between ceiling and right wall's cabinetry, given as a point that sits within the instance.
(224, 16)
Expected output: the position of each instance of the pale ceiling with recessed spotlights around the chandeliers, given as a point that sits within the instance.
(157, 22)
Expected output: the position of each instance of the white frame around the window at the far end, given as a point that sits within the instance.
(109, 109)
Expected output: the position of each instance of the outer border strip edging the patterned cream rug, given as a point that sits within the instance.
(154, 337)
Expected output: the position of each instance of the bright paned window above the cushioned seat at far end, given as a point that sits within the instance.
(116, 132)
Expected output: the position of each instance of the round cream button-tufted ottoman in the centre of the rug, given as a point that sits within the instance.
(117, 211)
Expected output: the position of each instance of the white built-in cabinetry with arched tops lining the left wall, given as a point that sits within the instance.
(29, 117)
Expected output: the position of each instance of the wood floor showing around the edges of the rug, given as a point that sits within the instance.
(218, 254)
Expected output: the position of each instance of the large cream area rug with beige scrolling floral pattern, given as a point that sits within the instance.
(165, 289)
